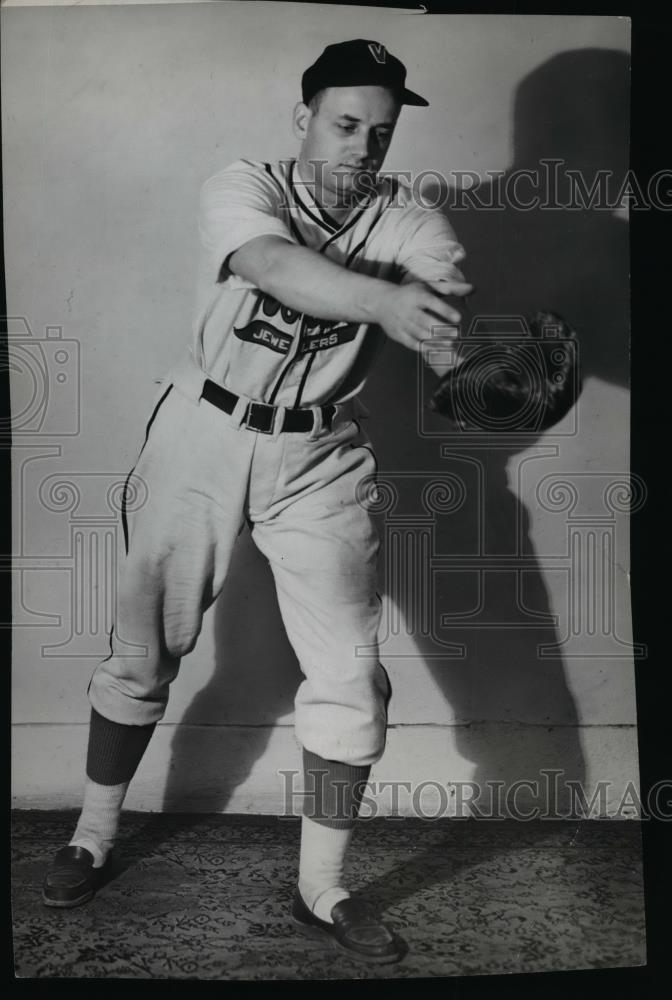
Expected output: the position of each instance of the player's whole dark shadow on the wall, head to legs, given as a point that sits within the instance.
(574, 108)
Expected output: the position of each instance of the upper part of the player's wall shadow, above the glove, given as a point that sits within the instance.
(573, 109)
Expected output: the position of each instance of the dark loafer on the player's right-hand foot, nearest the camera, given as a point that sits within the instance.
(355, 930)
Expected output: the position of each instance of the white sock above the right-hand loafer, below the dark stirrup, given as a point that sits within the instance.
(321, 867)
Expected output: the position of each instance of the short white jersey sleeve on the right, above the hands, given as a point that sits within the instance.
(429, 250)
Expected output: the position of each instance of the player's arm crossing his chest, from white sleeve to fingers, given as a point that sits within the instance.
(241, 227)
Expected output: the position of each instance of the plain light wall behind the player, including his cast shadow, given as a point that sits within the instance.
(112, 119)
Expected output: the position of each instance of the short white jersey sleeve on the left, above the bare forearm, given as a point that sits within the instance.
(236, 205)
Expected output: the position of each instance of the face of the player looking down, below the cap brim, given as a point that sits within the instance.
(346, 140)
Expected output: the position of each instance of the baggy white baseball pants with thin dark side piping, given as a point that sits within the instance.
(301, 493)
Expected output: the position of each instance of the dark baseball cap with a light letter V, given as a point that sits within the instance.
(358, 63)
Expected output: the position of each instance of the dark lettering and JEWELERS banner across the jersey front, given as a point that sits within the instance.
(316, 334)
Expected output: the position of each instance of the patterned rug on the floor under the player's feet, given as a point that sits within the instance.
(208, 897)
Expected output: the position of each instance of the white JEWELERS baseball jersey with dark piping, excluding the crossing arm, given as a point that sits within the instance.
(255, 345)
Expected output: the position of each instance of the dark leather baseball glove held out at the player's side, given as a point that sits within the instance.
(522, 384)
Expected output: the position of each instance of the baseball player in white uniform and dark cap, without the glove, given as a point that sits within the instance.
(308, 265)
